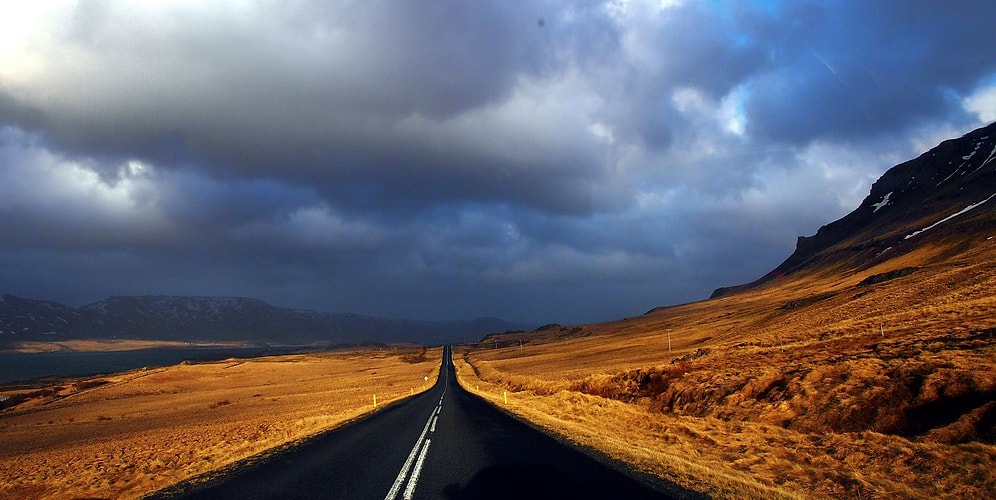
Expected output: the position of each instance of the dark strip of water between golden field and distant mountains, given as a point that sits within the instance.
(16, 367)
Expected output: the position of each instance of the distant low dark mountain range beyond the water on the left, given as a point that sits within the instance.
(217, 319)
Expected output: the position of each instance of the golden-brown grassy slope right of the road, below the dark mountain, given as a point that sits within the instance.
(810, 387)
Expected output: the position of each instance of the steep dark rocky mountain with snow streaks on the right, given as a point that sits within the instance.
(944, 194)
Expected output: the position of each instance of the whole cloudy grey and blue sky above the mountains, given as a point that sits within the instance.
(539, 161)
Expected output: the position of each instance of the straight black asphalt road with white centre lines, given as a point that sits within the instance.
(444, 443)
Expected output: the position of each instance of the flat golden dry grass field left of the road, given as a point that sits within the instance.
(126, 435)
